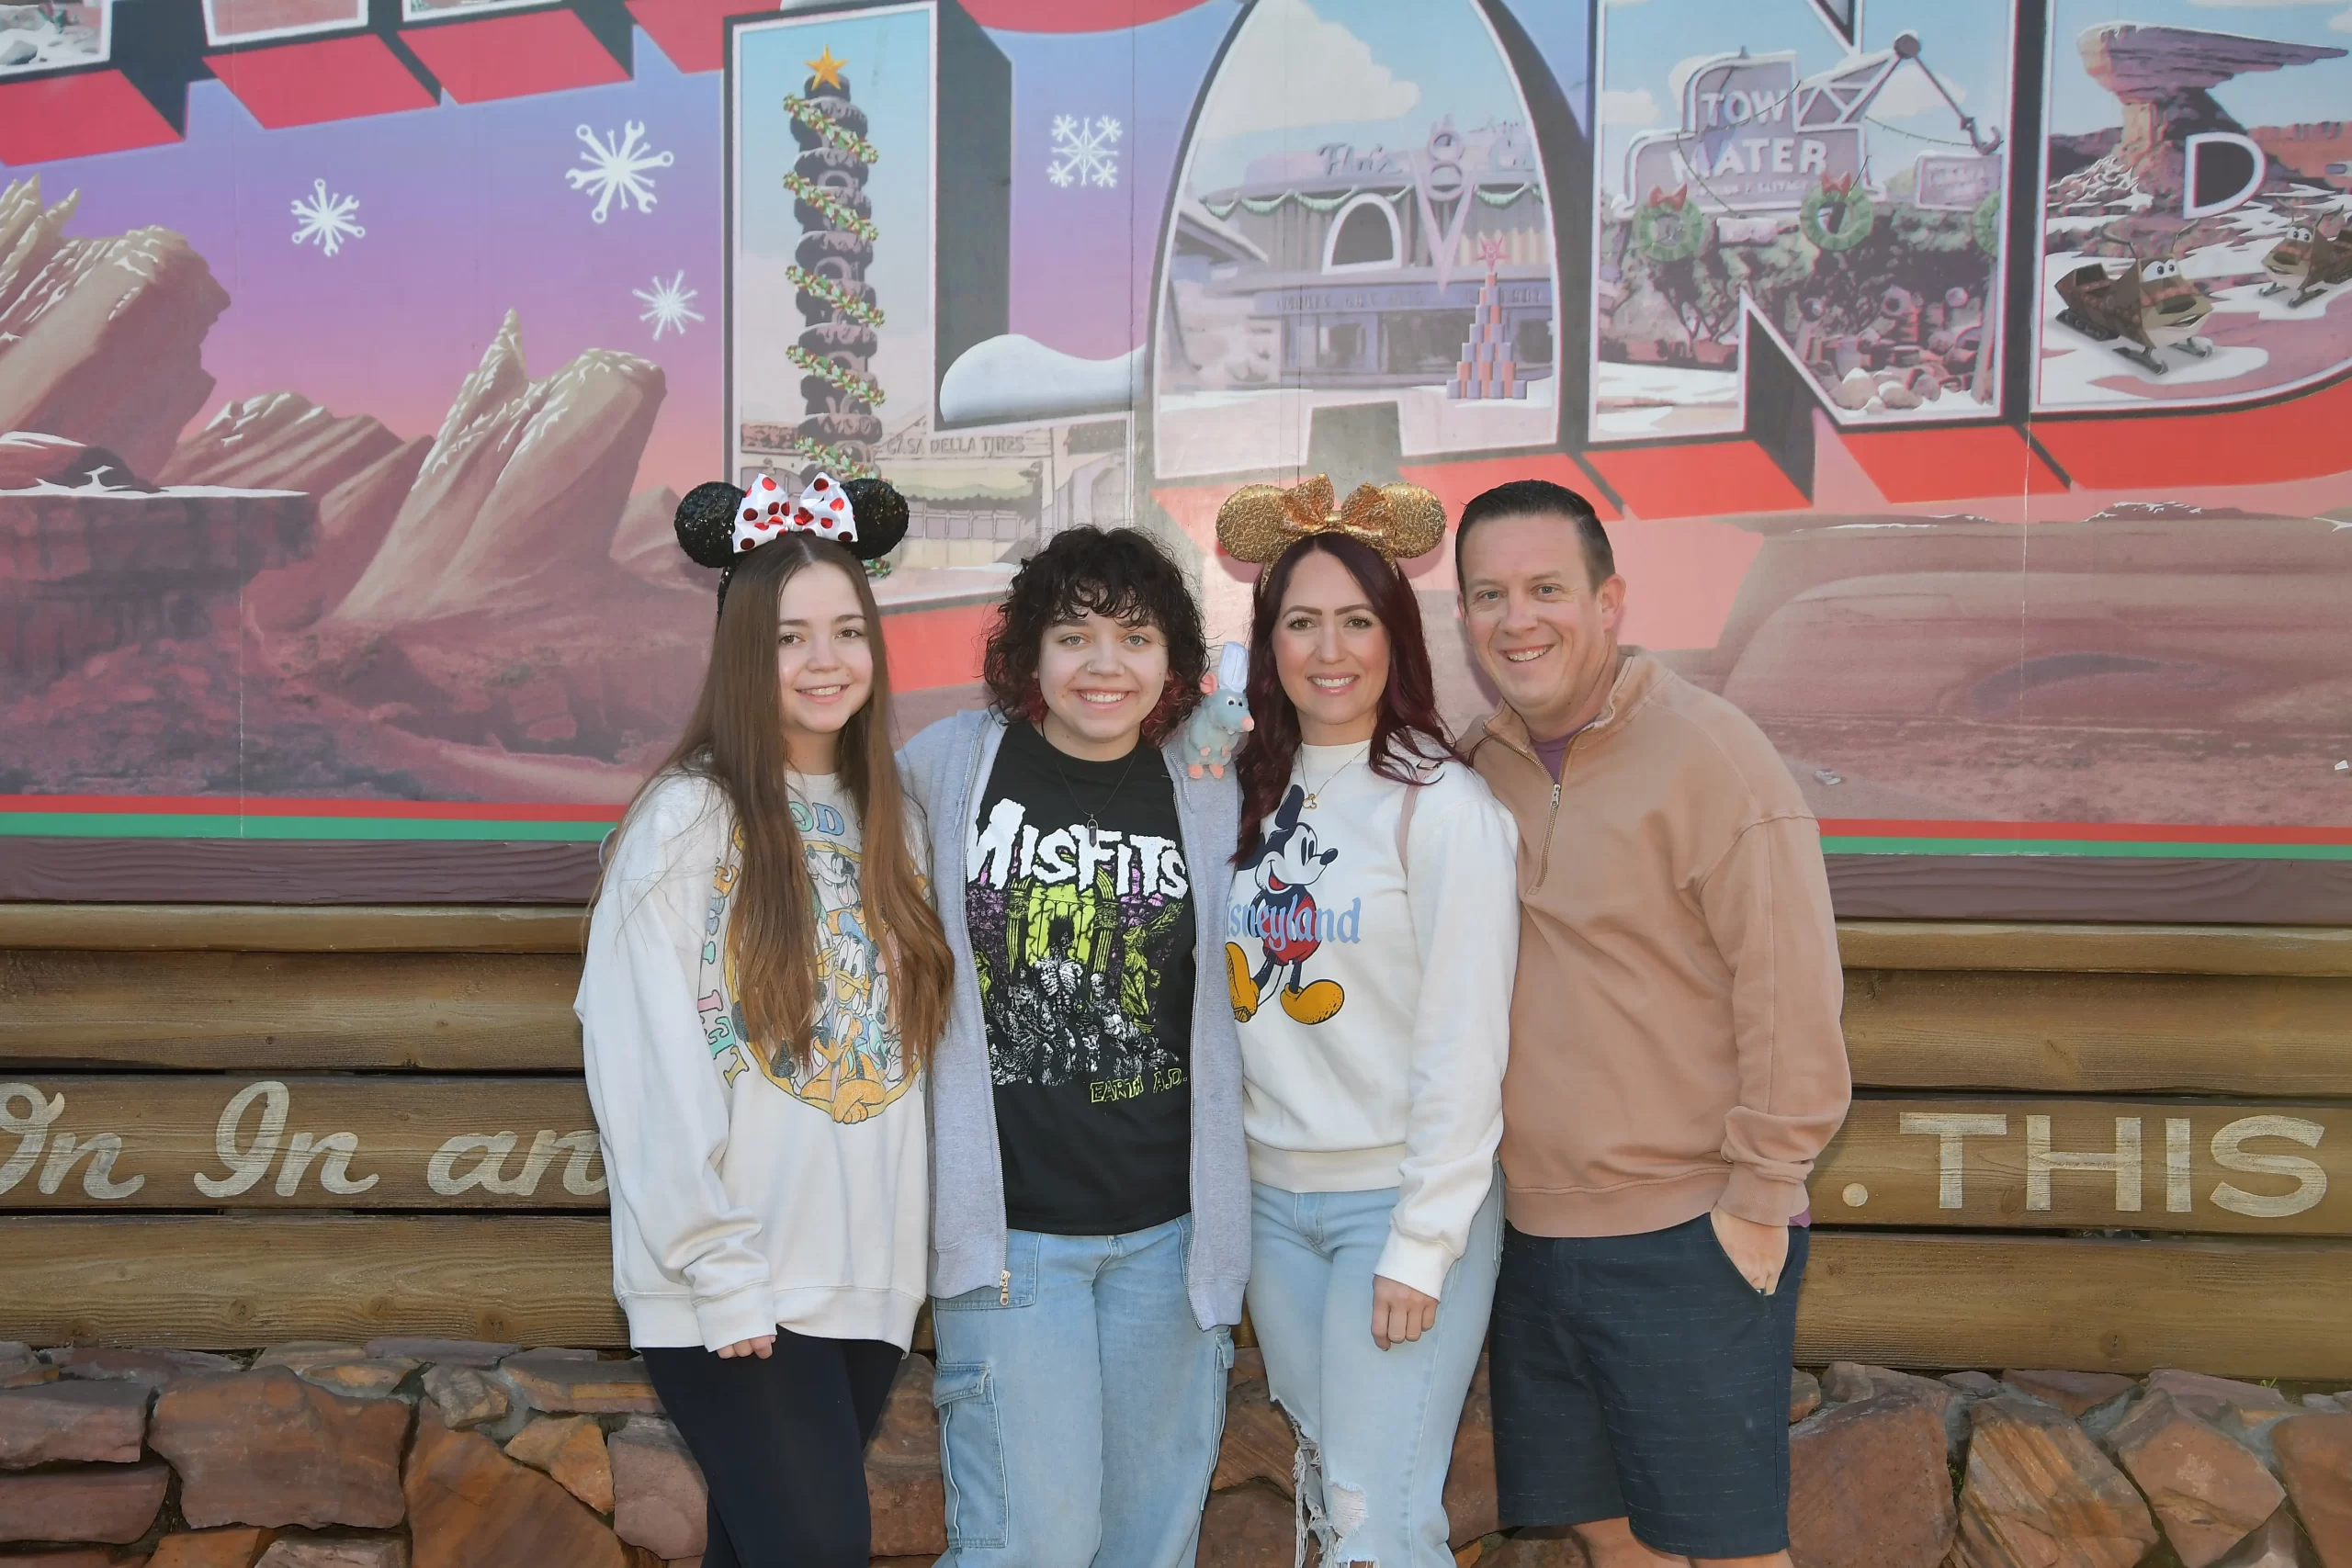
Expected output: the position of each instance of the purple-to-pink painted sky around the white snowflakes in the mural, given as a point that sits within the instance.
(467, 213)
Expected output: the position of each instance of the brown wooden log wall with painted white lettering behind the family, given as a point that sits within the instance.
(222, 1127)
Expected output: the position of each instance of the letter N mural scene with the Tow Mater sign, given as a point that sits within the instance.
(1760, 170)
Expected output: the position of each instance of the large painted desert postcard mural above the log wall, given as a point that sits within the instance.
(1965, 391)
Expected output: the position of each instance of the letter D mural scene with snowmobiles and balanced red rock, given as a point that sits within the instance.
(2198, 196)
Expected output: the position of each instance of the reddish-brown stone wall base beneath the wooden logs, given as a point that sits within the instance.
(457, 1454)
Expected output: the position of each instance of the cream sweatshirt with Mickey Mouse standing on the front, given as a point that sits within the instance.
(1375, 998)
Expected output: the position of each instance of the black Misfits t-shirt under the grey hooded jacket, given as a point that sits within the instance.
(1081, 911)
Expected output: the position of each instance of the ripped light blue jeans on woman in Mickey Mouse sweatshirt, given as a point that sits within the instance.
(1377, 1426)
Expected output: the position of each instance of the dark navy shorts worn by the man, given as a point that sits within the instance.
(1643, 1379)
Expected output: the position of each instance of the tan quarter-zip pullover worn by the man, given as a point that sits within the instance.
(1673, 1028)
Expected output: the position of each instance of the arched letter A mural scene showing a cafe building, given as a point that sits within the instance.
(1356, 232)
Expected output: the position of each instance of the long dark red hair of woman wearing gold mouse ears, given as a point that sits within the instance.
(1405, 732)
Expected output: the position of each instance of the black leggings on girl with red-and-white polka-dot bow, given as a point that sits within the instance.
(782, 1445)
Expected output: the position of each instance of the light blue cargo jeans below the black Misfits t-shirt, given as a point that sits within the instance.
(1081, 1407)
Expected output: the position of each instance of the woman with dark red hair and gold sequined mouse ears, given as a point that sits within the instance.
(1372, 944)
